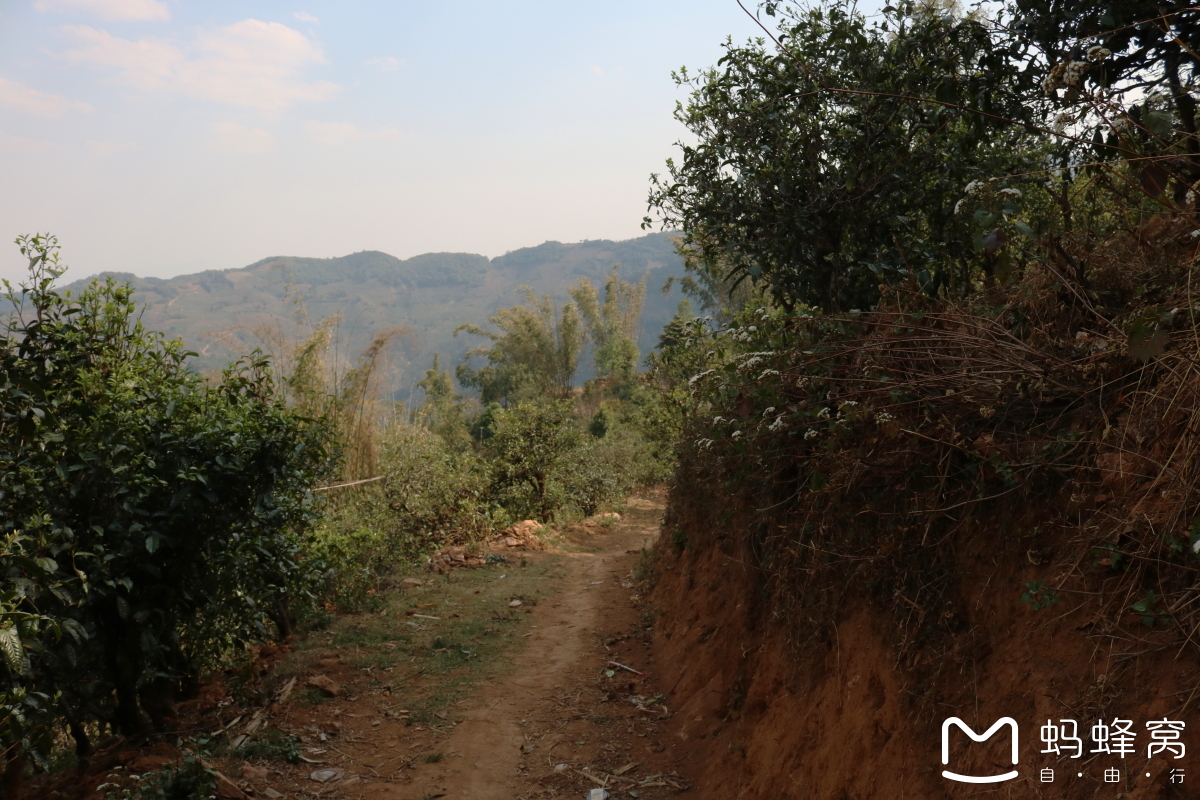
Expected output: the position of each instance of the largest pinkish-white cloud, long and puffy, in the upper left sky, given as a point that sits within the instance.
(250, 64)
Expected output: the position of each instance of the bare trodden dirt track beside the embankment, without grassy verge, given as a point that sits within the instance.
(560, 708)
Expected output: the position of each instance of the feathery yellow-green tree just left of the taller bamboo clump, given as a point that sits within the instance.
(536, 354)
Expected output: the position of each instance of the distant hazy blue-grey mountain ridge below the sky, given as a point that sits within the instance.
(223, 315)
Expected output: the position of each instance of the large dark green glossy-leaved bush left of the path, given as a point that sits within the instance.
(160, 519)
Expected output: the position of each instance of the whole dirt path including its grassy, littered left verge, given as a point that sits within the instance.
(495, 683)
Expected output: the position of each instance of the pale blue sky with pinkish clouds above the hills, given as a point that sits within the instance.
(164, 137)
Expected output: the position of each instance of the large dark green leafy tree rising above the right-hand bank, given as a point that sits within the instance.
(836, 161)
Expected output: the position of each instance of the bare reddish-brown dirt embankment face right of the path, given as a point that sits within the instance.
(841, 718)
